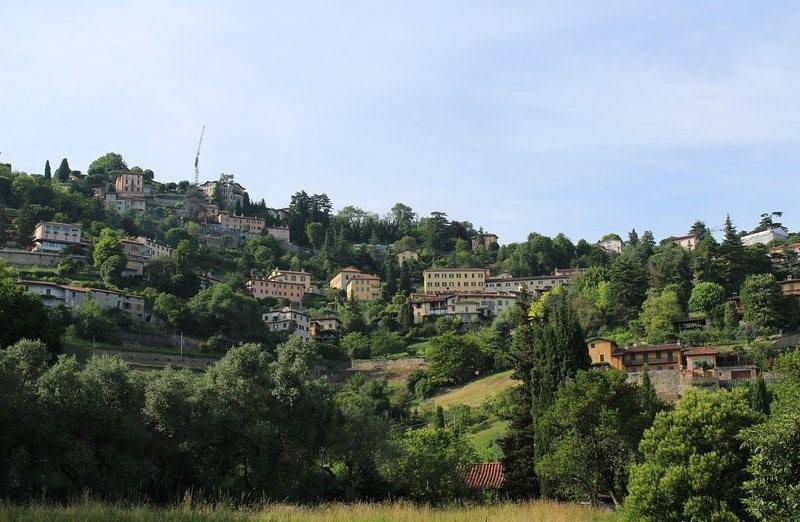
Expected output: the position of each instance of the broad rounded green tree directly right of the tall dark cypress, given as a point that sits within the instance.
(594, 427)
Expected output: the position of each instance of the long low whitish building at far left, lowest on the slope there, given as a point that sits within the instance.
(54, 294)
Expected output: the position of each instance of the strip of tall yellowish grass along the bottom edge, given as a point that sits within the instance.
(401, 512)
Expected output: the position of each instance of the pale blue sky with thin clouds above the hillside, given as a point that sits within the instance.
(574, 117)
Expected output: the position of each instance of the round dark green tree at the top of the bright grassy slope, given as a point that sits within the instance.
(454, 359)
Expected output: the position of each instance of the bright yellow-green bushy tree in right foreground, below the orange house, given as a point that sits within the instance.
(693, 468)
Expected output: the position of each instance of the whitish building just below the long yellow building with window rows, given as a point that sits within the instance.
(466, 306)
